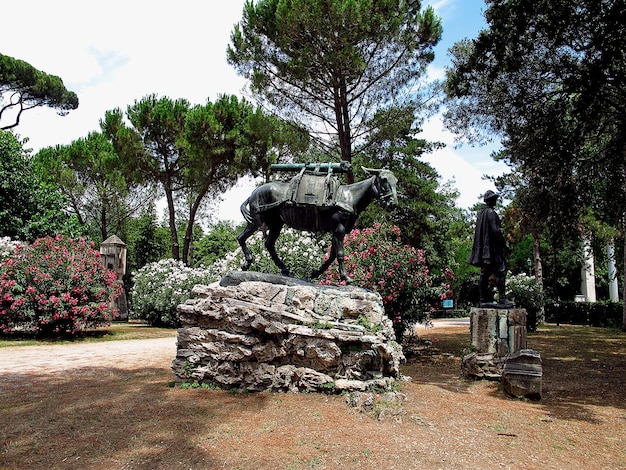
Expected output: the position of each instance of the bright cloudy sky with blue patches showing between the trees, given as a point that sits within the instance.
(122, 50)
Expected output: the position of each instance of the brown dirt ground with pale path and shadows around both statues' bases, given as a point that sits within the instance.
(108, 406)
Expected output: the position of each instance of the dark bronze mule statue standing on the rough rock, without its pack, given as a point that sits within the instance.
(271, 204)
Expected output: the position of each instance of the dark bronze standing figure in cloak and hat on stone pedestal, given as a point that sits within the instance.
(488, 254)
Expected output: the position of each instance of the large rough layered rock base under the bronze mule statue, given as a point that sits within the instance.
(296, 336)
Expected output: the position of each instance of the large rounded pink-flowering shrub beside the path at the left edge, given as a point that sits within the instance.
(55, 286)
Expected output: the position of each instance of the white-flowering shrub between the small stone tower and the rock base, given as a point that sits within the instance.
(161, 286)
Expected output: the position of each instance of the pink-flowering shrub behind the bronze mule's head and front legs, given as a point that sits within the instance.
(378, 260)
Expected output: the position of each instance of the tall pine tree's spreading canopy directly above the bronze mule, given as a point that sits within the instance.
(331, 65)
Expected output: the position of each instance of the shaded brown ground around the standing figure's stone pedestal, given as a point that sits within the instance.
(581, 366)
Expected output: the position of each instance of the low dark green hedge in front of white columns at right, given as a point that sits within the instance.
(605, 314)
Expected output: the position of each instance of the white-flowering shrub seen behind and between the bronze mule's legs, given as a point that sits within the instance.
(302, 252)
